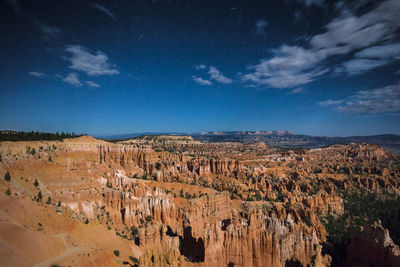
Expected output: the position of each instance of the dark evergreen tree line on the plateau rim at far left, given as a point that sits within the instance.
(34, 136)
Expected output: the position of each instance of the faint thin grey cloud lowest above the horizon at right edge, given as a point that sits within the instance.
(380, 100)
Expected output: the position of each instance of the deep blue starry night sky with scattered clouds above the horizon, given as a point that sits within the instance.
(315, 67)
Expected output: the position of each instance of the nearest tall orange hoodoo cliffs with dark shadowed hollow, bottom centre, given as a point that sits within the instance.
(210, 230)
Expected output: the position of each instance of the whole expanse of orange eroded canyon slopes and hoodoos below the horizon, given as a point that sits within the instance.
(163, 201)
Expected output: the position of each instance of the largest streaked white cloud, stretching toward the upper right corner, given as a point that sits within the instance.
(291, 66)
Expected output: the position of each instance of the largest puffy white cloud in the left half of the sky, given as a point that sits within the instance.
(92, 64)
